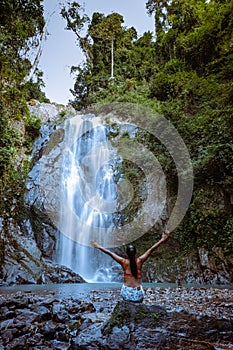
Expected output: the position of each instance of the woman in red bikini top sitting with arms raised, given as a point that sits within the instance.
(131, 289)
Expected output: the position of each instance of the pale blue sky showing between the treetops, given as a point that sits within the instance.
(60, 49)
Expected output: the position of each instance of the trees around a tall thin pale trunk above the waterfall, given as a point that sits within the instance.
(109, 49)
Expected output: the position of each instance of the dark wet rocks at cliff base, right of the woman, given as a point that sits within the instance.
(199, 266)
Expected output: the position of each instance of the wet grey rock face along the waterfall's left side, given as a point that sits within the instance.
(27, 248)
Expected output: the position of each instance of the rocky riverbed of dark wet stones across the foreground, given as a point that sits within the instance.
(169, 318)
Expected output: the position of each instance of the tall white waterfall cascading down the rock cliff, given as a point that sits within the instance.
(88, 198)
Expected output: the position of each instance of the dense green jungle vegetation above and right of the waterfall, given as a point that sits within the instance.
(185, 72)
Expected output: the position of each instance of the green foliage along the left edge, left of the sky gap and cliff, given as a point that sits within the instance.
(22, 24)
